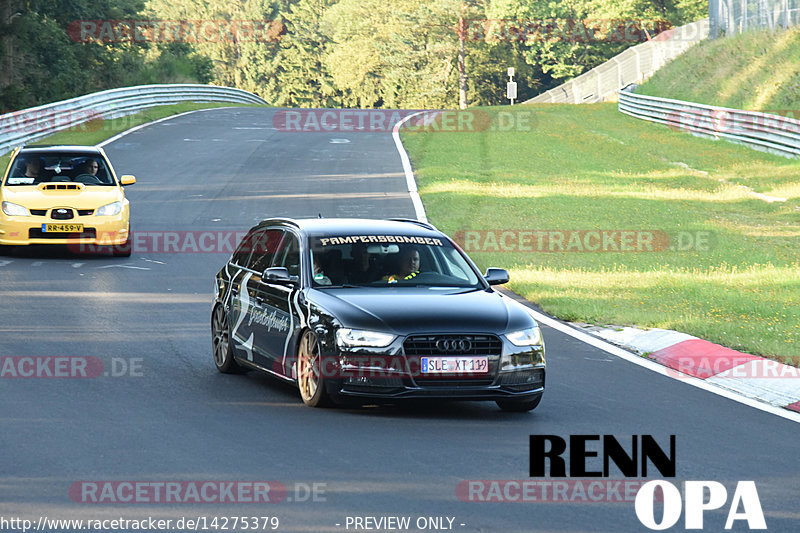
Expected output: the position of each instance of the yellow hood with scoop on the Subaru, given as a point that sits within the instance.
(91, 197)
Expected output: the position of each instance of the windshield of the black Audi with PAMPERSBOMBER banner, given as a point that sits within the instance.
(389, 260)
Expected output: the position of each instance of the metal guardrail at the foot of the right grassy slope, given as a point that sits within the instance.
(762, 131)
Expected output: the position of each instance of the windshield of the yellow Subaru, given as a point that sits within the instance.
(33, 169)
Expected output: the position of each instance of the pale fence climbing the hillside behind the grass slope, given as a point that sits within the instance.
(634, 65)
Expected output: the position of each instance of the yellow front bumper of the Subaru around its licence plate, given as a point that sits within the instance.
(105, 230)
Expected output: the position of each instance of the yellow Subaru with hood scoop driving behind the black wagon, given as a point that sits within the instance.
(64, 195)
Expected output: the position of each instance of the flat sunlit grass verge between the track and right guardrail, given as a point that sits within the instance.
(591, 168)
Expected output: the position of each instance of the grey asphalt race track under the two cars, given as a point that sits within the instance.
(170, 416)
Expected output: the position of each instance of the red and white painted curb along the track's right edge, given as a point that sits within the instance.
(749, 375)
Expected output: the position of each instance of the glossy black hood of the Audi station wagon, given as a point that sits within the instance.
(420, 310)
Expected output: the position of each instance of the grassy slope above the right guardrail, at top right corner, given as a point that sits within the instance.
(757, 70)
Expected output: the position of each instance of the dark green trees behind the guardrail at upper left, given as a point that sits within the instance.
(44, 60)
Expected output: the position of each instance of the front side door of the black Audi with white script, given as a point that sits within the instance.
(273, 311)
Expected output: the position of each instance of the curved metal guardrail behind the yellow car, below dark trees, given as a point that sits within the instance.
(20, 127)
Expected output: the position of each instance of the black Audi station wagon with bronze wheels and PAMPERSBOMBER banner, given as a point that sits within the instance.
(371, 311)
